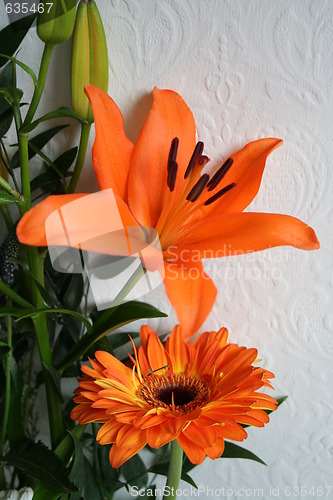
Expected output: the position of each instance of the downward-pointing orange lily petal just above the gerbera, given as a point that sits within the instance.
(186, 286)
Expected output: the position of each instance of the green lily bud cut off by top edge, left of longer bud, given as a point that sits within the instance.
(55, 20)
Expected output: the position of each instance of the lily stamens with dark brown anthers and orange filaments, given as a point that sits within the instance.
(196, 192)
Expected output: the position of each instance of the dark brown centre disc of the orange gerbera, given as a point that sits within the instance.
(176, 391)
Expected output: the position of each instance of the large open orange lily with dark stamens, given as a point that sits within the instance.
(158, 183)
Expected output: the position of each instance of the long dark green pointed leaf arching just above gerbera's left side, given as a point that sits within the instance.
(108, 321)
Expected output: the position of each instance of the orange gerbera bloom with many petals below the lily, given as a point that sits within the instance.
(198, 393)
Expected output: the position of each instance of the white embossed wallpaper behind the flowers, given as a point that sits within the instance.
(247, 69)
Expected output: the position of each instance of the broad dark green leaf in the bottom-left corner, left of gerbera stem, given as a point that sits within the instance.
(38, 461)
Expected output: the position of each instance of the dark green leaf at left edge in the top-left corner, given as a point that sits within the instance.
(12, 35)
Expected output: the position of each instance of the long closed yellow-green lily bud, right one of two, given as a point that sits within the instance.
(89, 57)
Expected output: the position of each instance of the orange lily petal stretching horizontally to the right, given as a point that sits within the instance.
(245, 232)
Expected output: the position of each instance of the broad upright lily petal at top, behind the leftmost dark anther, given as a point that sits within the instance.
(169, 117)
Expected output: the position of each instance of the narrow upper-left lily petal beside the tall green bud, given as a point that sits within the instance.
(112, 149)
